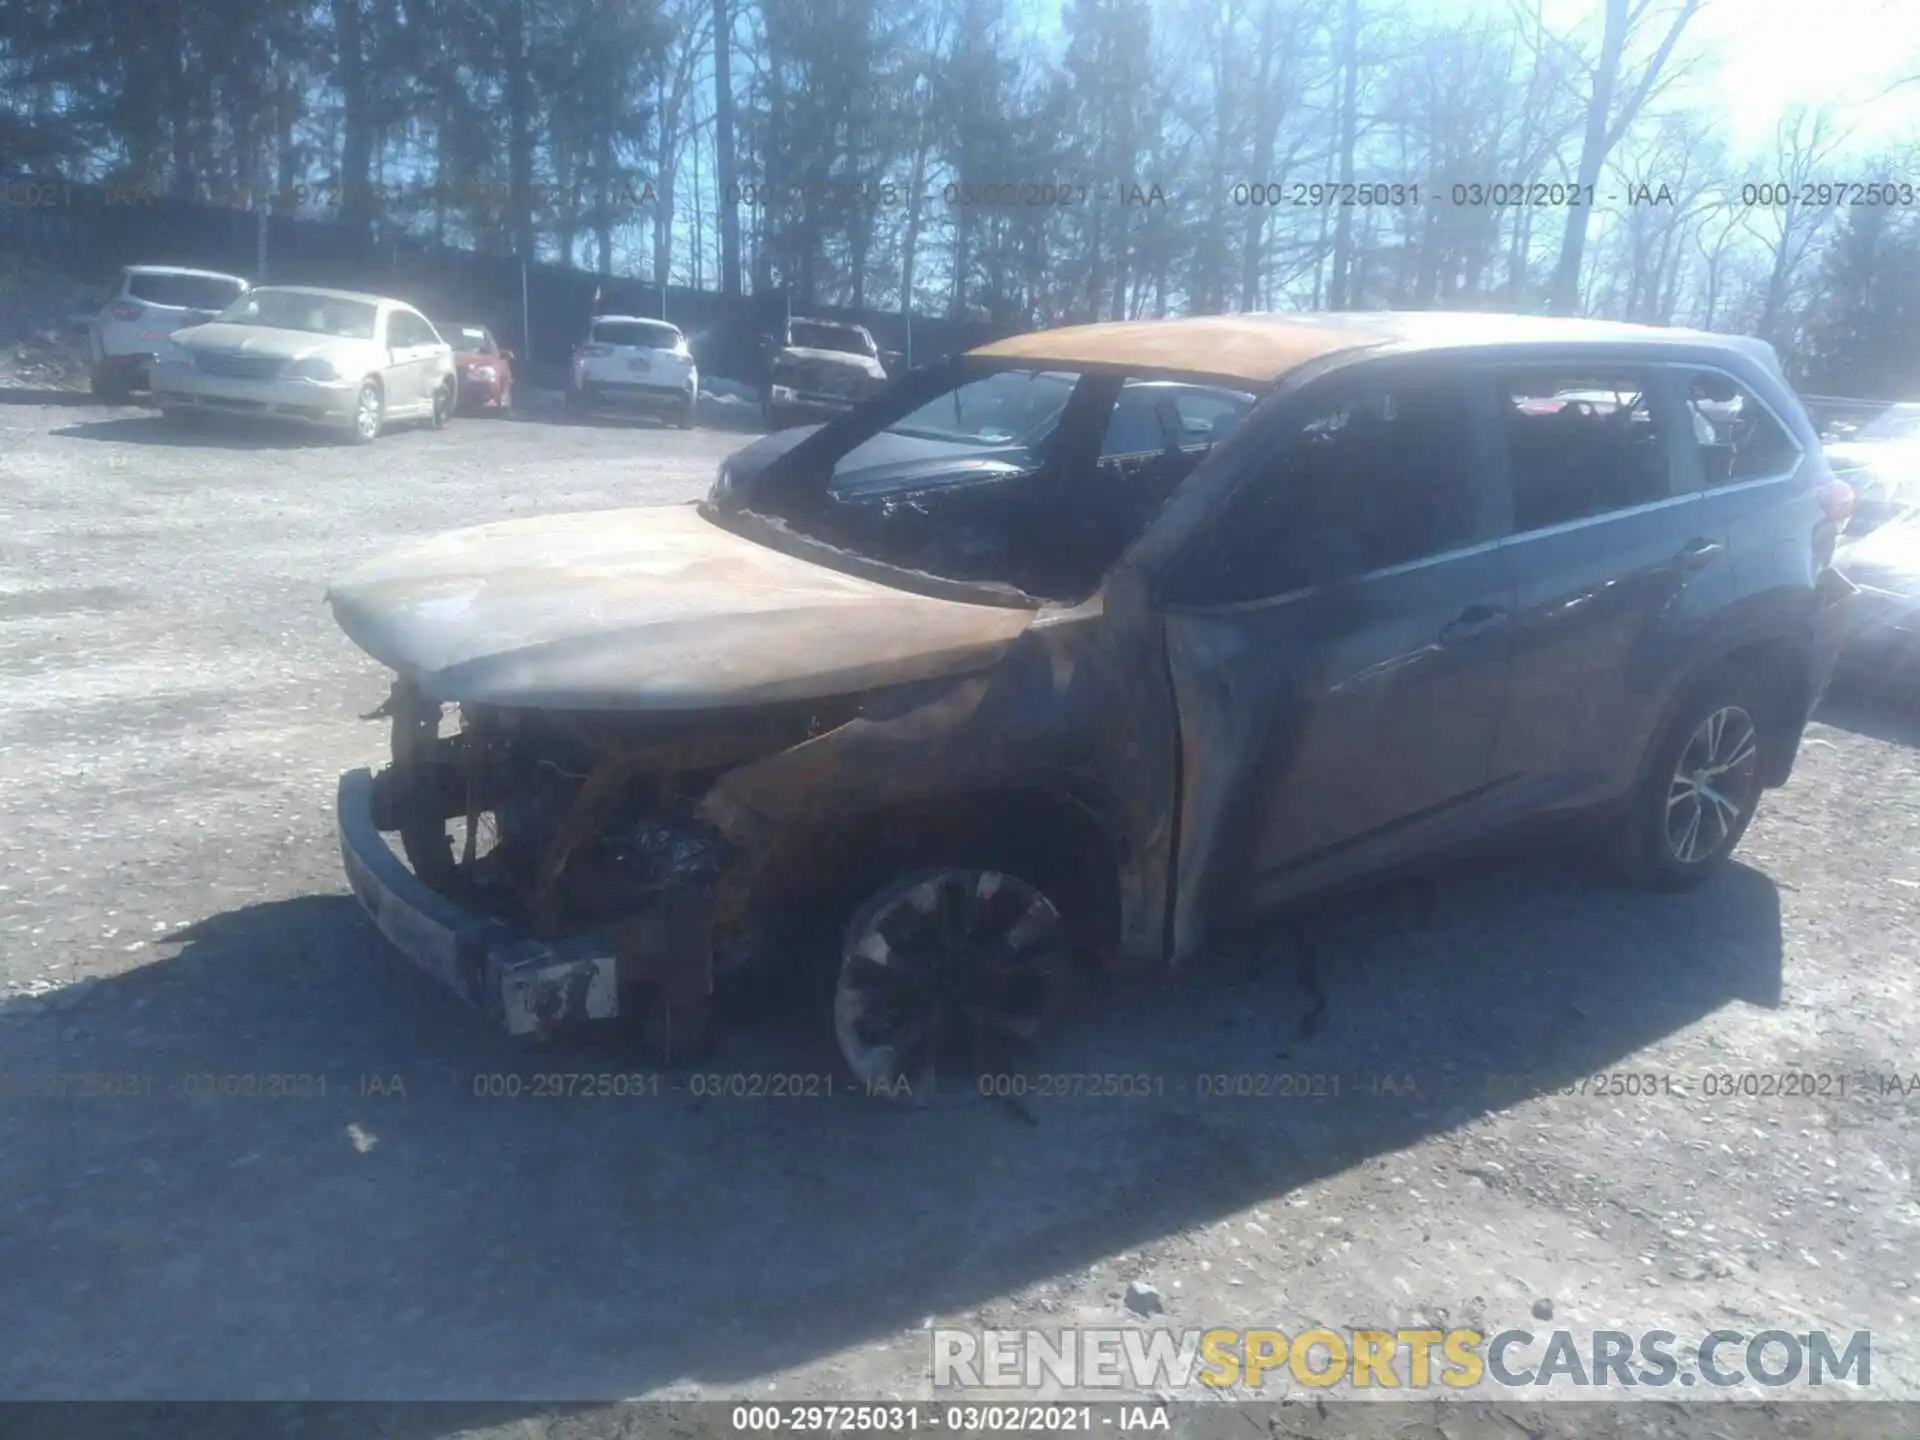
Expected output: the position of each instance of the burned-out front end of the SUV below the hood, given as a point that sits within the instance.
(554, 867)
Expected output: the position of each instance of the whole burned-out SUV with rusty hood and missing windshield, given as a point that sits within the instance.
(1093, 646)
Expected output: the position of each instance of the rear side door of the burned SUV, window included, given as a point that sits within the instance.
(1618, 562)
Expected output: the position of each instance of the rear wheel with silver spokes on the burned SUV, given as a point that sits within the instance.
(1702, 788)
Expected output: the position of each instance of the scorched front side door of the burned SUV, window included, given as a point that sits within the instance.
(1339, 644)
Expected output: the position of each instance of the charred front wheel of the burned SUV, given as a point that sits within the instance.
(948, 971)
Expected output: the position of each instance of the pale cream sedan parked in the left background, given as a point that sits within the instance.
(331, 358)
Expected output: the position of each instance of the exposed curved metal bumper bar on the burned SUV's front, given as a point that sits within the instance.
(525, 984)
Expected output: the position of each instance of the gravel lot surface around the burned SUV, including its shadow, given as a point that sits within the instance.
(174, 715)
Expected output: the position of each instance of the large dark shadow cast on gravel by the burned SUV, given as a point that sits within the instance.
(410, 1212)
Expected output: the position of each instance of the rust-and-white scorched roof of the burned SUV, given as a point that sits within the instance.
(1260, 348)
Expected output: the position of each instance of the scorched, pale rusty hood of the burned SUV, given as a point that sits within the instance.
(646, 610)
